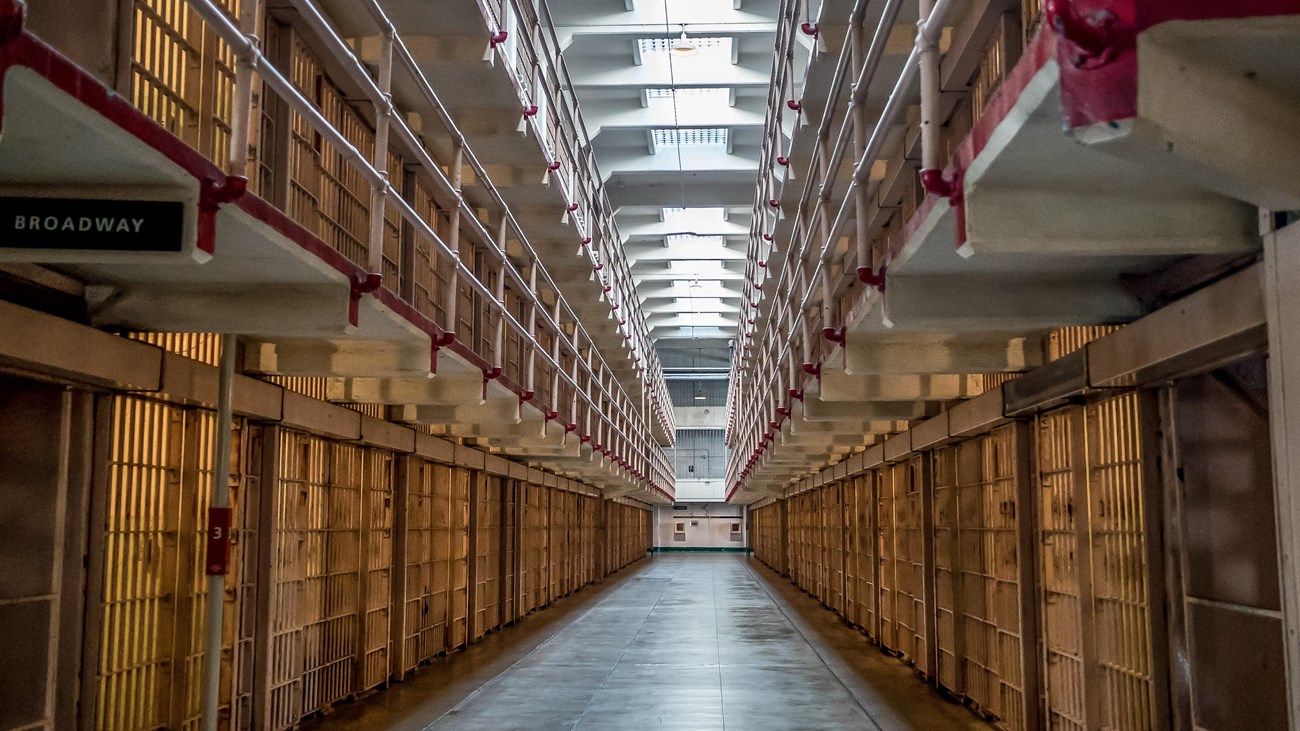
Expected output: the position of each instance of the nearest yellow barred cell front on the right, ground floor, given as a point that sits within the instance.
(1095, 568)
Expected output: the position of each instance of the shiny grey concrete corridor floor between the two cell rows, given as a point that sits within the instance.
(688, 642)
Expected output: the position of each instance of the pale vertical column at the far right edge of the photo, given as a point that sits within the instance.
(1282, 305)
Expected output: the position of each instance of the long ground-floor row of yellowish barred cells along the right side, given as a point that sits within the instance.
(1003, 564)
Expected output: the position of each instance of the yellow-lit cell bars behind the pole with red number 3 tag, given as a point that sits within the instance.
(154, 582)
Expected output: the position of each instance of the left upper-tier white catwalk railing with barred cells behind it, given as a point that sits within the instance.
(315, 154)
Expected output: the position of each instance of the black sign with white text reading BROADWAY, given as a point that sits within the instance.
(92, 224)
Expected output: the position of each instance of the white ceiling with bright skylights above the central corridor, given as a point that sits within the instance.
(678, 140)
